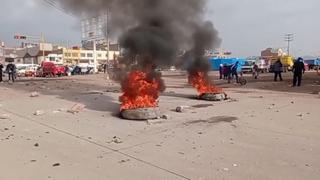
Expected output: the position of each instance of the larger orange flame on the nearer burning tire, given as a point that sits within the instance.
(139, 91)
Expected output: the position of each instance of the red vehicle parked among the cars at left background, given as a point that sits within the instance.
(51, 69)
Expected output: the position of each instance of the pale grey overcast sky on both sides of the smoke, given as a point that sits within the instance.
(245, 26)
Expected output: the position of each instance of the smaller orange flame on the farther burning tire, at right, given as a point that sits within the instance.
(199, 80)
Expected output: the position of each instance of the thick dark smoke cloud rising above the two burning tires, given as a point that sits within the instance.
(155, 30)
